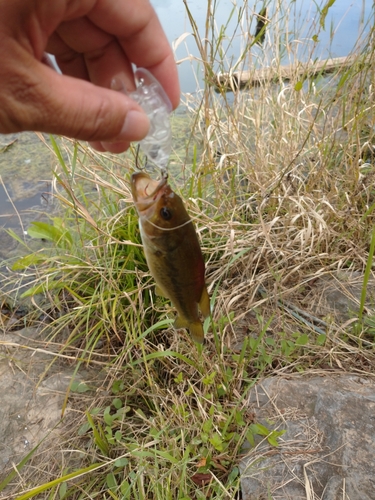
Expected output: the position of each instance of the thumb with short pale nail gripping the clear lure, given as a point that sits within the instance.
(50, 102)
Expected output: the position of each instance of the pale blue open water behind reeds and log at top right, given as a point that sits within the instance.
(296, 21)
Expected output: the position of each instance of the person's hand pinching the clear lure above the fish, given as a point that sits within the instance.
(93, 41)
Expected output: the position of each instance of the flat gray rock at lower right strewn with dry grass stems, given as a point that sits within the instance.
(328, 449)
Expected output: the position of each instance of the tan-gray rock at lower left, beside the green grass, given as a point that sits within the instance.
(32, 394)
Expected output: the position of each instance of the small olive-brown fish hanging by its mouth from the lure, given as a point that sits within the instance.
(172, 251)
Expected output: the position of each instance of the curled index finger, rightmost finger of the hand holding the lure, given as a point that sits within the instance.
(141, 36)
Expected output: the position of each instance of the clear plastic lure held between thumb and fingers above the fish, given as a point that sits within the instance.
(150, 95)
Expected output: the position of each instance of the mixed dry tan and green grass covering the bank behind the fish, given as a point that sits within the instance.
(288, 202)
